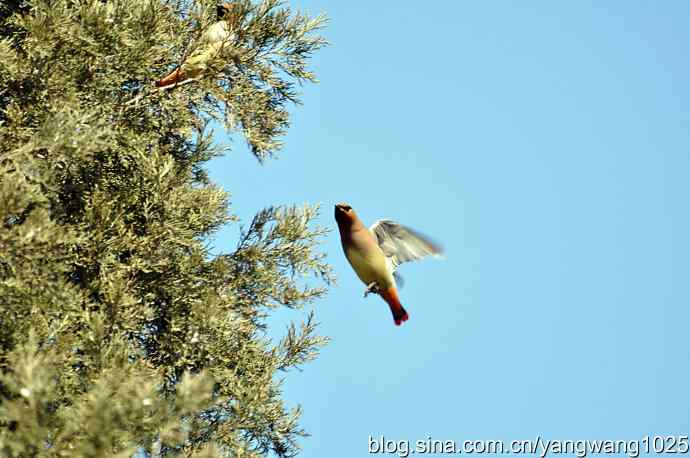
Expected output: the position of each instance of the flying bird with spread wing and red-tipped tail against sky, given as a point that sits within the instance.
(375, 254)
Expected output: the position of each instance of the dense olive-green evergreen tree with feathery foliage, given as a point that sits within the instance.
(119, 331)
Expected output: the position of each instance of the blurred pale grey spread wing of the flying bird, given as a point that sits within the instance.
(402, 244)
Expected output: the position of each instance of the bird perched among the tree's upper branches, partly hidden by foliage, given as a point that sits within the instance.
(217, 38)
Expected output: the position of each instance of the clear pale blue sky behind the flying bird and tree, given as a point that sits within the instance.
(546, 145)
